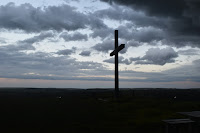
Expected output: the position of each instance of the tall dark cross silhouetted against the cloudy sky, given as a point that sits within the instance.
(115, 52)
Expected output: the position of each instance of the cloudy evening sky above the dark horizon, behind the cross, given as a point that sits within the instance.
(67, 43)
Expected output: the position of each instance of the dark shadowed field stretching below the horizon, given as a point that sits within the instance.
(32, 110)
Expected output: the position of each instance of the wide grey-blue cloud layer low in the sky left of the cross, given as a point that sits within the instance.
(41, 65)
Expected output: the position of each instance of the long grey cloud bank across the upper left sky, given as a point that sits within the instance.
(30, 19)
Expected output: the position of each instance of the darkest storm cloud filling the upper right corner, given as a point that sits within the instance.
(179, 19)
